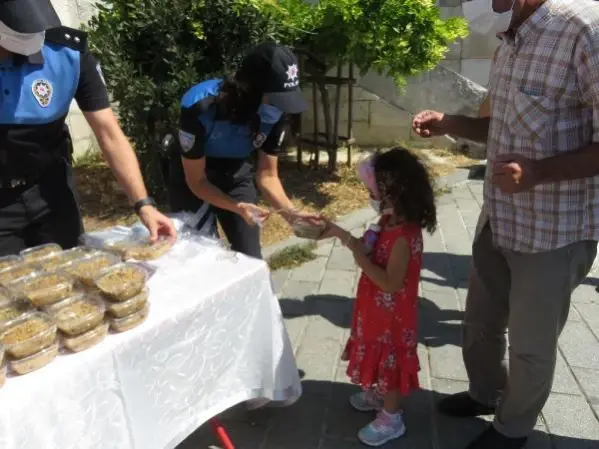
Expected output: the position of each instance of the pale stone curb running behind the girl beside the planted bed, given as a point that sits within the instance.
(361, 217)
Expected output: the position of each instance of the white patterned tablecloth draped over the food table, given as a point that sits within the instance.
(214, 338)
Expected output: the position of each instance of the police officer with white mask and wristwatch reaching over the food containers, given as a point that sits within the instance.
(43, 67)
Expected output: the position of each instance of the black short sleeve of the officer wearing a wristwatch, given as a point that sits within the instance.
(91, 94)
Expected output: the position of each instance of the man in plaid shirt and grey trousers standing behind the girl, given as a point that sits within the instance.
(539, 226)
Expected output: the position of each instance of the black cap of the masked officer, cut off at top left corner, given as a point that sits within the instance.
(28, 16)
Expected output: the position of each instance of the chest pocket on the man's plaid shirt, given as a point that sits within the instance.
(531, 116)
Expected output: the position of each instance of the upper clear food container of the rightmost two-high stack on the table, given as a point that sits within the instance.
(122, 281)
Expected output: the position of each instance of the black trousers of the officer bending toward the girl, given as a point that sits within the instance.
(242, 237)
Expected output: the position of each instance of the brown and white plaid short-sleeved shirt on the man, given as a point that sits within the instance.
(544, 93)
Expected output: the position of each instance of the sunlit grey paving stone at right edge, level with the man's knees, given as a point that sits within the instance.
(579, 346)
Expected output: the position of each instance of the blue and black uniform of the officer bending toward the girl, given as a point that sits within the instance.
(205, 132)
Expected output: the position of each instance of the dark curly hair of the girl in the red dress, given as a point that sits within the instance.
(404, 182)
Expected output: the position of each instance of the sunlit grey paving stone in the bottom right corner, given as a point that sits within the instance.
(572, 422)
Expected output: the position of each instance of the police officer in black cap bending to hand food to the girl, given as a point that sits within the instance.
(223, 121)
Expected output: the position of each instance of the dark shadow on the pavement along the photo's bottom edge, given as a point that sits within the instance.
(322, 418)
